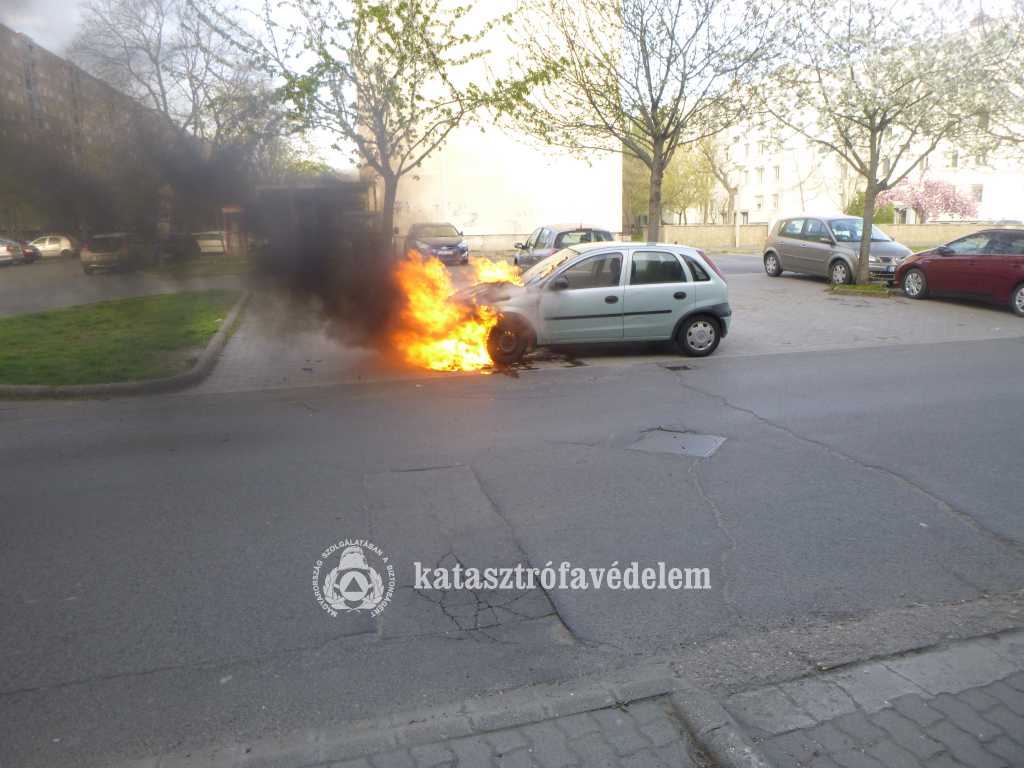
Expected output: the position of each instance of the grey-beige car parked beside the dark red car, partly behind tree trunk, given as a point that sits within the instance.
(830, 246)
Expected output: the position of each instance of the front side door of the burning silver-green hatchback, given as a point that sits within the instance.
(591, 308)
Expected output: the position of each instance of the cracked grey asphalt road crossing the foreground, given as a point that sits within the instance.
(156, 554)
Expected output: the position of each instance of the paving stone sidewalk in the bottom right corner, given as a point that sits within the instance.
(958, 706)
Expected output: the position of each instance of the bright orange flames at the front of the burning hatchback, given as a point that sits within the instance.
(436, 334)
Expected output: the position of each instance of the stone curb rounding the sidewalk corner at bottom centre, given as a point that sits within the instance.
(714, 731)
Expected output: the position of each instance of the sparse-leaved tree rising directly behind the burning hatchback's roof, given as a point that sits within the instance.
(644, 77)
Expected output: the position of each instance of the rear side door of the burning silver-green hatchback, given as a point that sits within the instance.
(658, 293)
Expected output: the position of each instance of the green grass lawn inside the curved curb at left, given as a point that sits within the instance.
(126, 340)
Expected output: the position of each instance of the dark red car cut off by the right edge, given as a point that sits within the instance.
(987, 266)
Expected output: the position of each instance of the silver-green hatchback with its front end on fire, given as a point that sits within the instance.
(608, 292)
